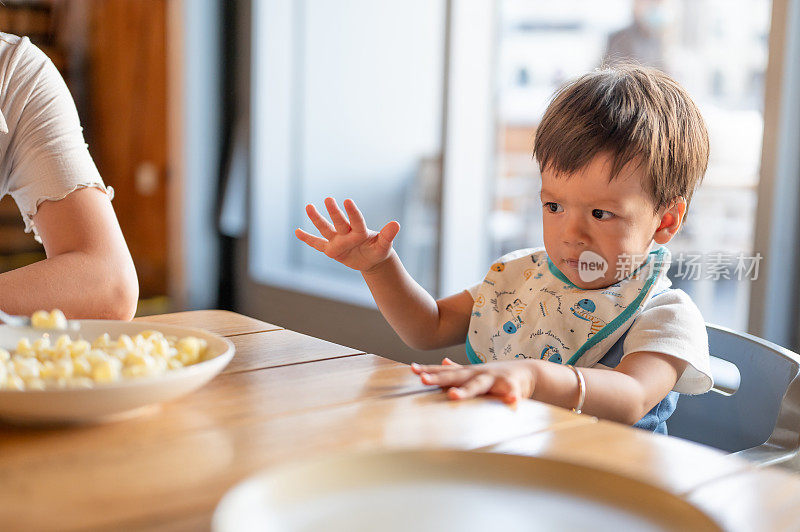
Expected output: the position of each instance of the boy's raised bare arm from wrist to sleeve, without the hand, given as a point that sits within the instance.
(419, 320)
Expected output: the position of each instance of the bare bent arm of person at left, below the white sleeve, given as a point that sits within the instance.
(88, 272)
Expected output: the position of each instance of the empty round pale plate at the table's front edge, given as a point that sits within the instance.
(449, 490)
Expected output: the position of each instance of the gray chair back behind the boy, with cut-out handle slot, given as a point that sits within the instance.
(754, 408)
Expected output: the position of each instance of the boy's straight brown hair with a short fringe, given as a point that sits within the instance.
(635, 114)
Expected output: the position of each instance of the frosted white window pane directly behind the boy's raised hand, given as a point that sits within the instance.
(347, 103)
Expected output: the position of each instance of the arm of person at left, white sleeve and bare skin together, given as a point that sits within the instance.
(88, 271)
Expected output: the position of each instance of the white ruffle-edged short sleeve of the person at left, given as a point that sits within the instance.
(48, 155)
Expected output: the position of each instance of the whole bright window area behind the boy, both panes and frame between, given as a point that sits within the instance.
(362, 99)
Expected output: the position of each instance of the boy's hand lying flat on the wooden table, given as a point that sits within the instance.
(508, 381)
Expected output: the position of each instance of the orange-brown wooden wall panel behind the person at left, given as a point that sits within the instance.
(127, 101)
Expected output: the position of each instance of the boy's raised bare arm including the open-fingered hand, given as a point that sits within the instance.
(419, 320)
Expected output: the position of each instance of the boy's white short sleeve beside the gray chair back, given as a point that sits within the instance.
(671, 324)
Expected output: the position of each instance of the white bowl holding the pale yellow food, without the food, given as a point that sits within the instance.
(114, 400)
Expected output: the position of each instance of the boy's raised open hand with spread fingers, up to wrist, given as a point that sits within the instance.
(349, 241)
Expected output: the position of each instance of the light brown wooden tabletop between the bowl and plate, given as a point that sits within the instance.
(286, 396)
